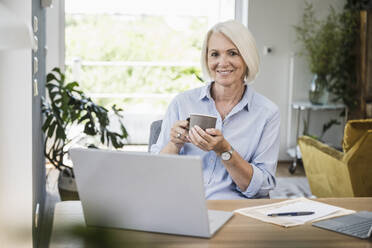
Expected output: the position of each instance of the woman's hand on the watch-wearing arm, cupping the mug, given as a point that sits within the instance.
(208, 140)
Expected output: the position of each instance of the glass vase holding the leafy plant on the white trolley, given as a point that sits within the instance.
(318, 93)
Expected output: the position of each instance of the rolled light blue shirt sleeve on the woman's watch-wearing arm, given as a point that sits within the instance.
(265, 159)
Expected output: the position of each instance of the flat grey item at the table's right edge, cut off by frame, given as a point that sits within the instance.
(357, 225)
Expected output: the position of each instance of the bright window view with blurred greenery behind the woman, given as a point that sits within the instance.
(138, 54)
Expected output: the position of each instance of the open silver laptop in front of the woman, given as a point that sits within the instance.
(142, 191)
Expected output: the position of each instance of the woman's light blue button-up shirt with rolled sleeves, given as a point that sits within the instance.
(251, 128)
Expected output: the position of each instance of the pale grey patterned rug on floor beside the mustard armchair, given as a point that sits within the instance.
(291, 187)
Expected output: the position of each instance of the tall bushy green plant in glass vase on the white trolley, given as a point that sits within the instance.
(329, 47)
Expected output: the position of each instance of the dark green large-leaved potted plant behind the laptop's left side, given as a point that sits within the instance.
(67, 108)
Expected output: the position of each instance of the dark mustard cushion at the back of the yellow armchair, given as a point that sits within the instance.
(354, 130)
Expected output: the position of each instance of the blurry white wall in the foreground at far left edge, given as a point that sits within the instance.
(16, 140)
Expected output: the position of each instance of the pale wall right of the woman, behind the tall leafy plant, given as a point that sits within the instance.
(271, 22)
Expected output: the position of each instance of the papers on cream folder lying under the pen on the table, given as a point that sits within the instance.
(322, 211)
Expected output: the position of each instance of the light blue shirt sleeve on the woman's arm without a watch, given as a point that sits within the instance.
(171, 116)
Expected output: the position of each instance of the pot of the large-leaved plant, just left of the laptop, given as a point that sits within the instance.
(67, 186)
